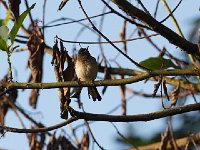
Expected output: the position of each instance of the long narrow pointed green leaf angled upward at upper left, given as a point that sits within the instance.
(18, 23)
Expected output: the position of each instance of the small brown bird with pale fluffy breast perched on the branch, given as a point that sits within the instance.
(86, 69)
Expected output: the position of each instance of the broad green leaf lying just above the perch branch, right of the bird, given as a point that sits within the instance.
(155, 63)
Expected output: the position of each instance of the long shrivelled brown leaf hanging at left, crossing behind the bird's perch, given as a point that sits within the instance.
(36, 47)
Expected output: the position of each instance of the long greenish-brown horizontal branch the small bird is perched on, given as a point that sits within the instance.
(116, 82)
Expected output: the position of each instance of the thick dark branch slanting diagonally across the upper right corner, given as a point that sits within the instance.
(167, 33)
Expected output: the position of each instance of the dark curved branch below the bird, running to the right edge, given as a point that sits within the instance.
(135, 118)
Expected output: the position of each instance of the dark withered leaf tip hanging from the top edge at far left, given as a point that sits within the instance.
(14, 7)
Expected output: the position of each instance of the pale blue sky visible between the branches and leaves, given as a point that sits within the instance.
(48, 105)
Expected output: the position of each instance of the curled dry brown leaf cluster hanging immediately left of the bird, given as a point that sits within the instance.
(58, 60)
